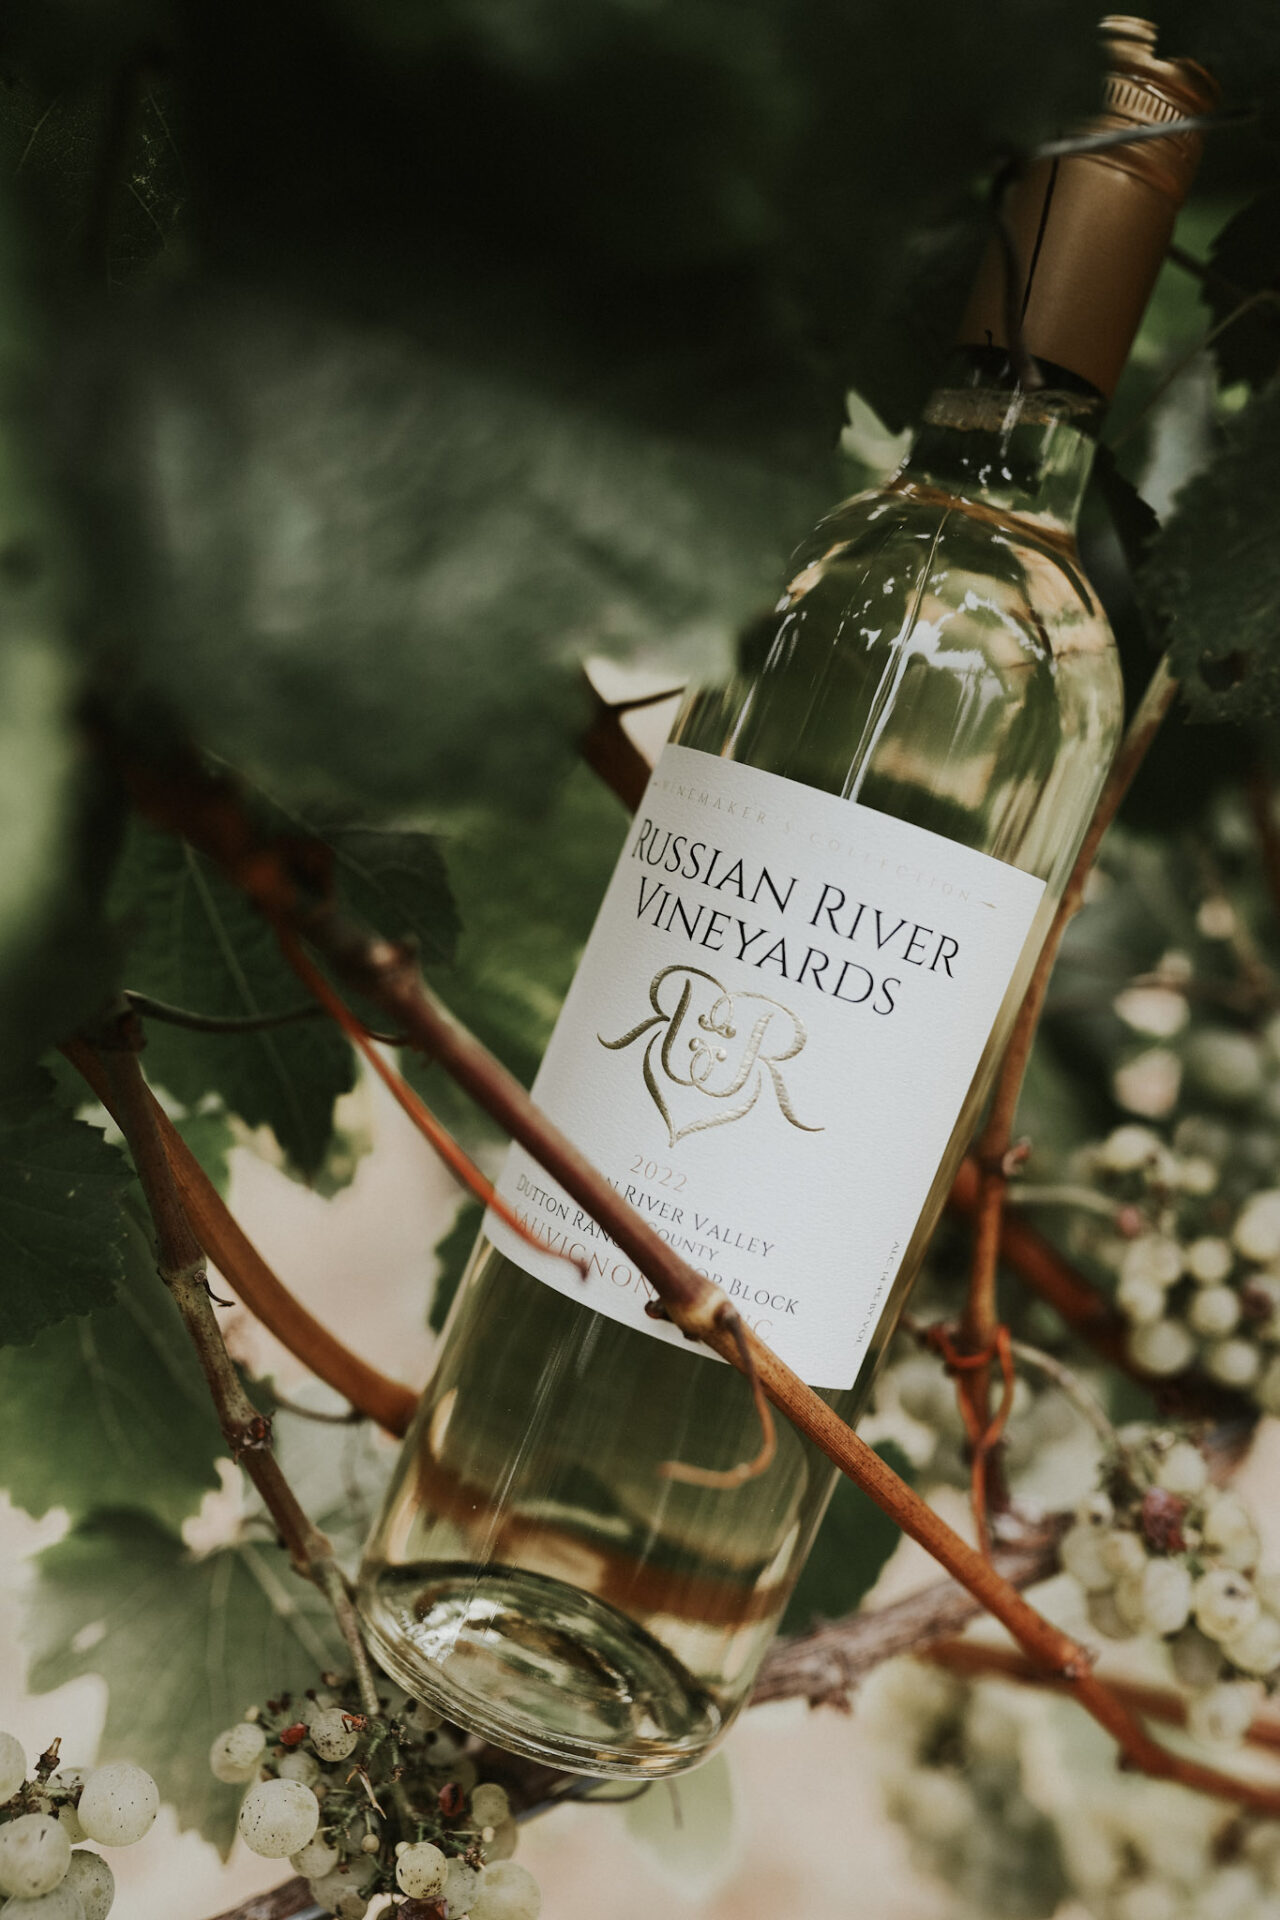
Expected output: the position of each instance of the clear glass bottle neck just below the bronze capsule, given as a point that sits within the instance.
(993, 444)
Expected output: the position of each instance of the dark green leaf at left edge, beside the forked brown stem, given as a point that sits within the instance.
(62, 1234)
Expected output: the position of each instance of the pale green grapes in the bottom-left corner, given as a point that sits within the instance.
(43, 1873)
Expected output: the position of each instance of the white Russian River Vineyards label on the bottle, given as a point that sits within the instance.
(769, 1042)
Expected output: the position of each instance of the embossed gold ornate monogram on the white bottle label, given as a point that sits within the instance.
(684, 1047)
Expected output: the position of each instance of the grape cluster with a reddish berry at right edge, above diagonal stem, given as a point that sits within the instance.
(1162, 1552)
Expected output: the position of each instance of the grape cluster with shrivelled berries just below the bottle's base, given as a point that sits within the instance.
(369, 1806)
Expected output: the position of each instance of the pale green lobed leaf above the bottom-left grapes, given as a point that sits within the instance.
(185, 1644)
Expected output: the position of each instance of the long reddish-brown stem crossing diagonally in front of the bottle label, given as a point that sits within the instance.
(206, 807)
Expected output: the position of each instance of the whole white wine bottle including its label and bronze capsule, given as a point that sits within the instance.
(784, 1030)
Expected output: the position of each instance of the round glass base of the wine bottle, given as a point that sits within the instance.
(538, 1668)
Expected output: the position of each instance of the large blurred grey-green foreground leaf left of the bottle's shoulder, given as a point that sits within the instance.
(364, 571)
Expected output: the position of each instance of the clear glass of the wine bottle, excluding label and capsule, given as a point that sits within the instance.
(939, 660)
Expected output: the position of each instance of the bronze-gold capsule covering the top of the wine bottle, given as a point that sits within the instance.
(1093, 229)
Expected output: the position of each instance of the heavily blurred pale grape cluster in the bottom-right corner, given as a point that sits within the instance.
(1014, 1802)
